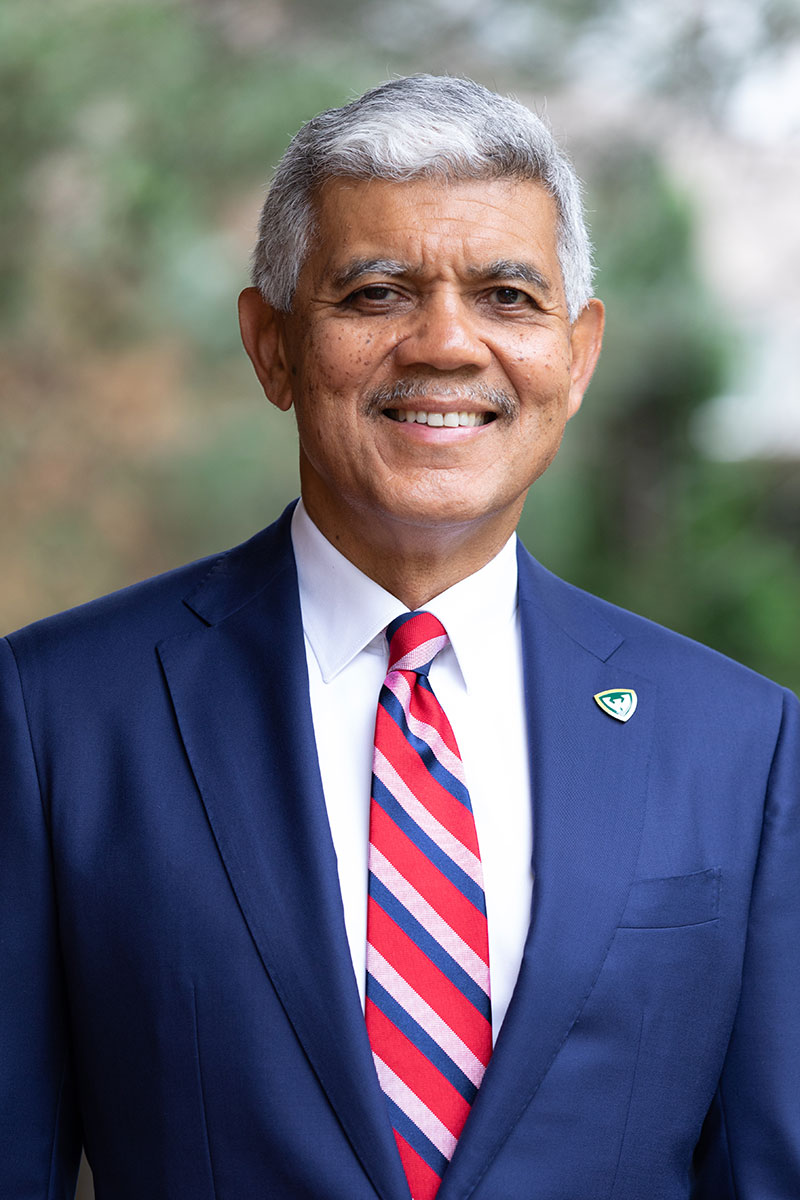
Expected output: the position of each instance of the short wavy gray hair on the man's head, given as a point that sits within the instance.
(417, 128)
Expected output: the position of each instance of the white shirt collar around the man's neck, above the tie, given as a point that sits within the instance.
(346, 613)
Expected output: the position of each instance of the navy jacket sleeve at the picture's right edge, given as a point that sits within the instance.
(751, 1141)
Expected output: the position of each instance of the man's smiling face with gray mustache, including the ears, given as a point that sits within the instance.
(419, 303)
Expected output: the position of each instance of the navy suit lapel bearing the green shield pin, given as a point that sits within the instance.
(590, 784)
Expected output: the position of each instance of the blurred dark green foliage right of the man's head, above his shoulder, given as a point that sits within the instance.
(631, 509)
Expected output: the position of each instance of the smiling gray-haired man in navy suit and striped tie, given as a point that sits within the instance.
(188, 889)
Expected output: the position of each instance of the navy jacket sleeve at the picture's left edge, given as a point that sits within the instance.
(40, 1138)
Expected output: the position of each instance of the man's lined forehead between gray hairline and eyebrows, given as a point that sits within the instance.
(431, 225)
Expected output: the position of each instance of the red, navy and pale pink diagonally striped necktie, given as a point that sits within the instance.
(429, 1012)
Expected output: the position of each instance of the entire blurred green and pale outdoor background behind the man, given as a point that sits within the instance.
(137, 142)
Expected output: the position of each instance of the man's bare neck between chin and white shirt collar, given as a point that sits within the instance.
(416, 562)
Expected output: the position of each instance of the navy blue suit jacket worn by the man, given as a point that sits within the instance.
(176, 986)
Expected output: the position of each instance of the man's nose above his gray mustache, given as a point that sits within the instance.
(443, 335)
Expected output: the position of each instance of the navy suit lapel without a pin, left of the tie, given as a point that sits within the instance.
(239, 687)
